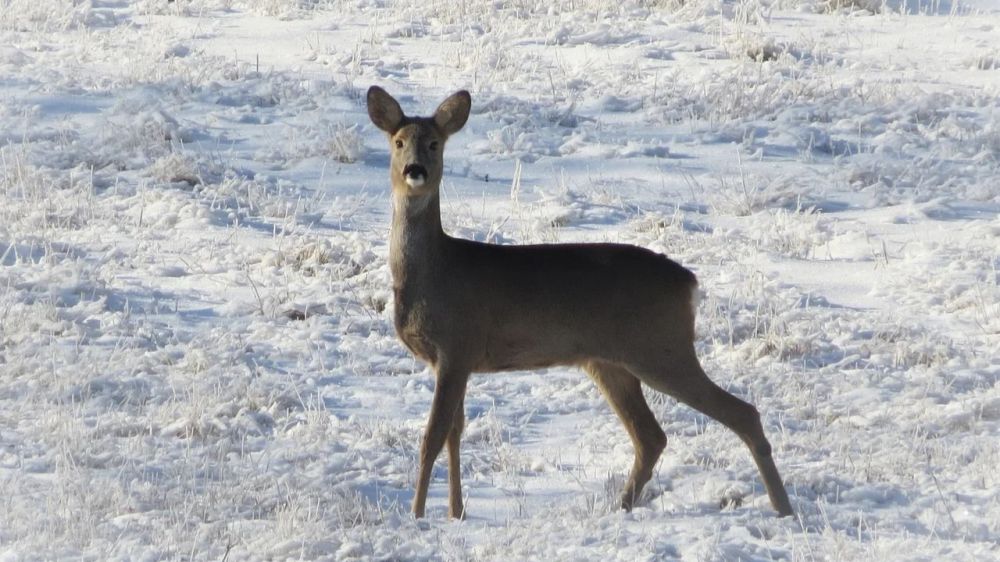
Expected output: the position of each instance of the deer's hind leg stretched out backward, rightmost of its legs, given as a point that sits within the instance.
(688, 383)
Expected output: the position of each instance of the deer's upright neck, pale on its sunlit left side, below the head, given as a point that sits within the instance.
(416, 238)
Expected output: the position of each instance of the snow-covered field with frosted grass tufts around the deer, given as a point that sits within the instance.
(197, 357)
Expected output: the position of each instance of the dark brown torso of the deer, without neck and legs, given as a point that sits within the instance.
(530, 307)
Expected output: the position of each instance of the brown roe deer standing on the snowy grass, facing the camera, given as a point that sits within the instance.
(622, 313)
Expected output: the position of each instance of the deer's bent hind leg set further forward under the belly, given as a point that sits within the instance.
(624, 392)
